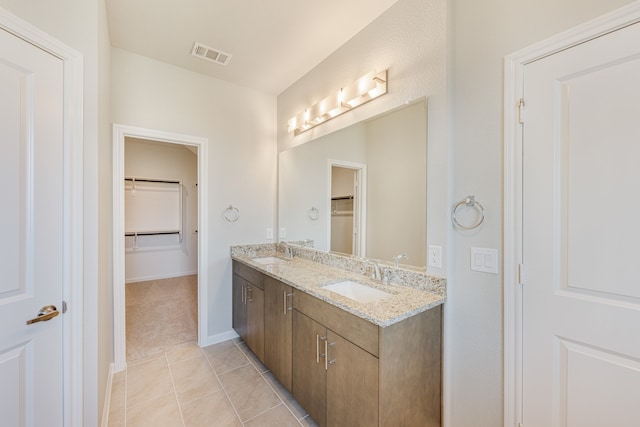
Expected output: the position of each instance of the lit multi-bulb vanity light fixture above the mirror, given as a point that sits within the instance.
(363, 90)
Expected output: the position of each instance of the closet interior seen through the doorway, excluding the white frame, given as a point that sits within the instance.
(161, 246)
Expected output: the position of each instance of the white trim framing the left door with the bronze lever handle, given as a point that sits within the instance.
(73, 69)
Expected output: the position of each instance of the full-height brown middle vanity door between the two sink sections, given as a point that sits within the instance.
(278, 322)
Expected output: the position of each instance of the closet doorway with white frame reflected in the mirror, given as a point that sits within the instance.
(346, 207)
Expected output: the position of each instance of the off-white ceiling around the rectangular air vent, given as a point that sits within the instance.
(273, 43)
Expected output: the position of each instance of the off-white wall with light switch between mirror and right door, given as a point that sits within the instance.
(483, 33)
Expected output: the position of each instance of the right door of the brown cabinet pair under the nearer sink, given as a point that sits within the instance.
(352, 384)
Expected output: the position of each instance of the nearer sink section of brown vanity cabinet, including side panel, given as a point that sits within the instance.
(362, 374)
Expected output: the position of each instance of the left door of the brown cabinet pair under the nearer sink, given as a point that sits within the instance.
(309, 386)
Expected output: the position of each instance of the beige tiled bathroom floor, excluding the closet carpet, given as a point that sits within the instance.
(189, 386)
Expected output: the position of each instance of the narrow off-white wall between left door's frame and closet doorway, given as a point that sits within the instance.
(80, 24)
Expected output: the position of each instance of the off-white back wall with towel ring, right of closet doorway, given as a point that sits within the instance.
(240, 126)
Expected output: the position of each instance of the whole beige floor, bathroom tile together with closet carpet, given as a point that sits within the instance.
(170, 381)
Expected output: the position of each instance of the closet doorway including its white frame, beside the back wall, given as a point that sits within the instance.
(159, 242)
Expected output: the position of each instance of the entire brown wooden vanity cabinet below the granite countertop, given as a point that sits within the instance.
(343, 369)
